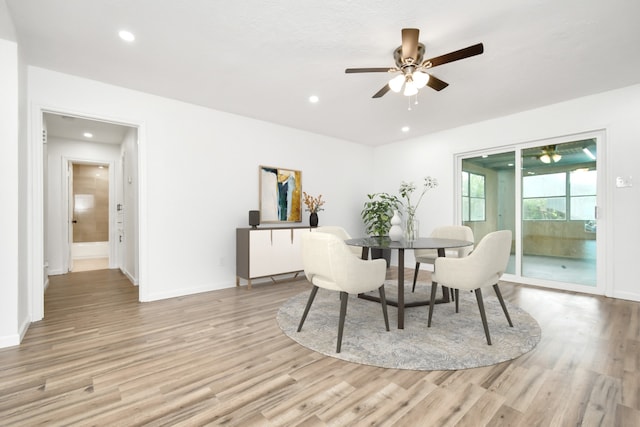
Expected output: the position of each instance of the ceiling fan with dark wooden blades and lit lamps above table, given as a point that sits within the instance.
(414, 70)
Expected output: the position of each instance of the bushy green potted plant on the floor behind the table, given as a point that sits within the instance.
(376, 214)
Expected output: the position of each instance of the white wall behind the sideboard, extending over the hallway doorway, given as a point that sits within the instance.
(199, 176)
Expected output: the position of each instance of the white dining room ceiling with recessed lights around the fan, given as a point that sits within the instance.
(263, 59)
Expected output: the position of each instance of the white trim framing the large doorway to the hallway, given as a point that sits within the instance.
(36, 268)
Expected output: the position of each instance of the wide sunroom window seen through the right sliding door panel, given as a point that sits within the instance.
(559, 196)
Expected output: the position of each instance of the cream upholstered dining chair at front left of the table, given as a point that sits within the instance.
(329, 264)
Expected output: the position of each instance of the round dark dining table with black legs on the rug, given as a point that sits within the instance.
(385, 242)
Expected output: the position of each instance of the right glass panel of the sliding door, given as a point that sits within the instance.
(559, 193)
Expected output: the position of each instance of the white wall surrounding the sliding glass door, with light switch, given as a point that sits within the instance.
(617, 112)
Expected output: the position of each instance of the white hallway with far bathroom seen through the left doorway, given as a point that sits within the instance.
(85, 195)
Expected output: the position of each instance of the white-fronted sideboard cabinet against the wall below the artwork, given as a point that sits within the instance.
(268, 252)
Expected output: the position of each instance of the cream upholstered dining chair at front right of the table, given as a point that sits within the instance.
(483, 267)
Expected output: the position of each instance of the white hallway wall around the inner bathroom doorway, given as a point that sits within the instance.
(59, 149)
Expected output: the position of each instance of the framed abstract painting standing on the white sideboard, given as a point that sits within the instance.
(280, 195)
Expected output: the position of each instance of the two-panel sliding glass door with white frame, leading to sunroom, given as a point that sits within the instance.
(547, 195)
